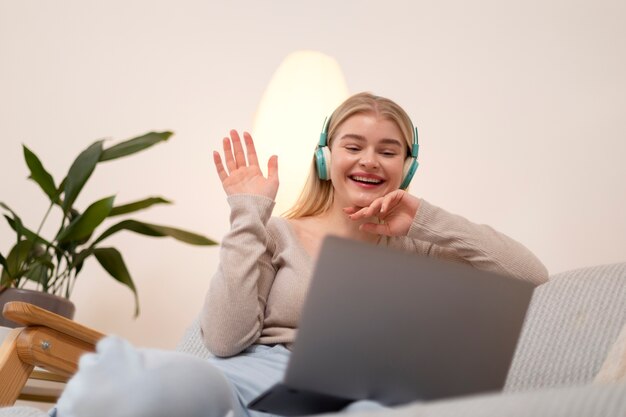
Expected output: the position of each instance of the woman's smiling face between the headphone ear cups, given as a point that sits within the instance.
(367, 159)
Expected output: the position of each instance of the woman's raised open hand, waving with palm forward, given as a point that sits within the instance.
(241, 176)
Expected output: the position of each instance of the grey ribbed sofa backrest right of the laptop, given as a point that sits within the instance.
(573, 321)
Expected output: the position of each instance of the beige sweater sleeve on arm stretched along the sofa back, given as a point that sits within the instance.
(455, 237)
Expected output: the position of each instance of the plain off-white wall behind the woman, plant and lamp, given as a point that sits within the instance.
(521, 108)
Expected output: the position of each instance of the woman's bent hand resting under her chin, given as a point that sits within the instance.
(396, 209)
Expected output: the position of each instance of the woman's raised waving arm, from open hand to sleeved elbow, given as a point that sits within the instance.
(232, 317)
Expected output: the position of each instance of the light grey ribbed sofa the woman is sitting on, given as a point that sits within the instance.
(570, 360)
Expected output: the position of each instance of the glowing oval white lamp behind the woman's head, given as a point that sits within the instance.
(306, 87)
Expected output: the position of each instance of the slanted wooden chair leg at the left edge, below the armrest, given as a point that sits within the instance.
(13, 372)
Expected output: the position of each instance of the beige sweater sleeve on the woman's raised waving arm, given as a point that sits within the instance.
(233, 312)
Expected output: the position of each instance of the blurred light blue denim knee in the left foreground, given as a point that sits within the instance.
(120, 380)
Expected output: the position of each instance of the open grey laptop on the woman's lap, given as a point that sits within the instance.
(394, 327)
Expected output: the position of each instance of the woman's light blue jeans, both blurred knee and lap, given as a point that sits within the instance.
(121, 380)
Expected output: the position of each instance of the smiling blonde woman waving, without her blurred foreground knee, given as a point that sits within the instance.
(252, 308)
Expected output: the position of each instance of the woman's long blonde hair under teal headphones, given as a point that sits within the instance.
(317, 195)
